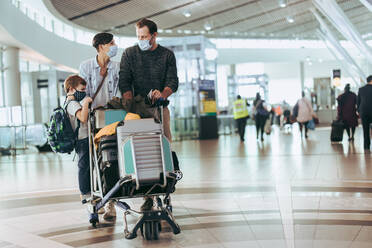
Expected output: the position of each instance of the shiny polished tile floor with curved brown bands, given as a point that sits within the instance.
(283, 192)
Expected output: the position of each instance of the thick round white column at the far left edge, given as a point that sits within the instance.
(12, 84)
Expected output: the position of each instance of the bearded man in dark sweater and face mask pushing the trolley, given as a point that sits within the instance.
(148, 69)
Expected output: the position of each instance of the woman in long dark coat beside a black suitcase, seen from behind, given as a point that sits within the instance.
(347, 111)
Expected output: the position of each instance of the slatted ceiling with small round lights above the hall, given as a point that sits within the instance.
(213, 18)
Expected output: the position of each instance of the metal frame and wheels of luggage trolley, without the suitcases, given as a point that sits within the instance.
(148, 221)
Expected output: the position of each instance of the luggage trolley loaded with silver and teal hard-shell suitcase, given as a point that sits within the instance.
(139, 165)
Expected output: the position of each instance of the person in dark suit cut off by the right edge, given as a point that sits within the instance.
(364, 104)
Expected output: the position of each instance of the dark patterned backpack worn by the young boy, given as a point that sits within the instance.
(61, 136)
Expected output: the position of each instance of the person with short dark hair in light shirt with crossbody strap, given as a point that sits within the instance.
(94, 71)
